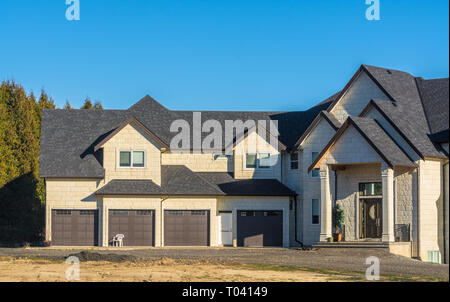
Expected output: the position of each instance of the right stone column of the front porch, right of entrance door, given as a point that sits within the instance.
(387, 177)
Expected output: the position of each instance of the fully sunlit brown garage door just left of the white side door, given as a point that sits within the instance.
(186, 228)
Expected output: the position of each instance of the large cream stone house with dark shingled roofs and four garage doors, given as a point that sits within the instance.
(378, 148)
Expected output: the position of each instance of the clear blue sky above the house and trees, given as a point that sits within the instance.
(215, 55)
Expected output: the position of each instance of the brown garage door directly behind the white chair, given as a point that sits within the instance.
(137, 226)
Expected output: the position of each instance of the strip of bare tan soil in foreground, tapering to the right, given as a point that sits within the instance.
(165, 270)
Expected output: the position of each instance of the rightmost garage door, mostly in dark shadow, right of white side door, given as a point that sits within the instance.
(260, 228)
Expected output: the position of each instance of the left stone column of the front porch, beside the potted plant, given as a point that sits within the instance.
(325, 203)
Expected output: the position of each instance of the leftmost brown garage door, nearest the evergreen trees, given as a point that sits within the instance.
(75, 227)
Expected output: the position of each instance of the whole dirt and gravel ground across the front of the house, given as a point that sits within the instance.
(217, 264)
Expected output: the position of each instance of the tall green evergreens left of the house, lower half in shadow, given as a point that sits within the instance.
(22, 193)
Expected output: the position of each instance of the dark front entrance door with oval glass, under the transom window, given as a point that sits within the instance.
(370, 218)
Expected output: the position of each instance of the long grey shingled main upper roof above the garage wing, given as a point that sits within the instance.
(69, 137)
